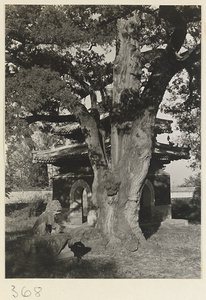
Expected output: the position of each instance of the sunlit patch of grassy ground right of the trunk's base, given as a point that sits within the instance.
(172, 252)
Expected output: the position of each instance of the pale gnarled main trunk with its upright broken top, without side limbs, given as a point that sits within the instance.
(118, 186)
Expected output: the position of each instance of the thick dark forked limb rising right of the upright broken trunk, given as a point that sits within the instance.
(168, 64)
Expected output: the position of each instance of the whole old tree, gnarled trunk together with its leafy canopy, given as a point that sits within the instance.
(57, 55)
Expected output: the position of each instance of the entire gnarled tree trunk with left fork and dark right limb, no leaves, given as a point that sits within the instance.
(118, 181)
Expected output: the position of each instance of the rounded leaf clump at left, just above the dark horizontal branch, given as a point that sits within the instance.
(36, 90)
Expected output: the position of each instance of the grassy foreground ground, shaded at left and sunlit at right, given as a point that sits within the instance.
(172, 252)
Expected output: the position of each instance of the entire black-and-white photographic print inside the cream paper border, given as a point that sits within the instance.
(102, 118)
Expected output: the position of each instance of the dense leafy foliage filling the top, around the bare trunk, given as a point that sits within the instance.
(58, 55)
